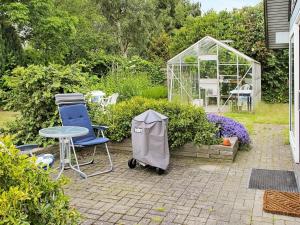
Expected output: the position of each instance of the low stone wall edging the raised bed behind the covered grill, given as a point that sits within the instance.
(211, 152)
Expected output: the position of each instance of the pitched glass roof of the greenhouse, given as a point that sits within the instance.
(205, 44)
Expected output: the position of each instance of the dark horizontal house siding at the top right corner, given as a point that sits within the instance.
(277, 20)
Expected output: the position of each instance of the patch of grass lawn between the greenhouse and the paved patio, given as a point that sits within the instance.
(264, 114)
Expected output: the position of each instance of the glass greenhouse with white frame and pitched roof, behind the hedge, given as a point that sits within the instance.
(212, 74)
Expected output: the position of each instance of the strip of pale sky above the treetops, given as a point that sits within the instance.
(219, 5)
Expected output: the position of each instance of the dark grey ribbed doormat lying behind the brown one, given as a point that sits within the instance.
(279, 180)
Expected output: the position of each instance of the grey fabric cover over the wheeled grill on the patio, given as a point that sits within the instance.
(150, 139)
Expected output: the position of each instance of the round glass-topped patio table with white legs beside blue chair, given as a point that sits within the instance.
(65, 135)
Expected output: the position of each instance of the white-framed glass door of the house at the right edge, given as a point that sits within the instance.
(294, 106)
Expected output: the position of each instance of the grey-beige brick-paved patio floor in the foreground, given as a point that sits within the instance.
(193, 191)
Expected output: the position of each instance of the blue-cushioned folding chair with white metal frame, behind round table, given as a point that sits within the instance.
(73, 112)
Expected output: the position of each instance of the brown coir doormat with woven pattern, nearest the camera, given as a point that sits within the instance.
(282, 203)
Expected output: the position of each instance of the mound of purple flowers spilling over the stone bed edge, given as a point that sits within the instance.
(230, 128)
